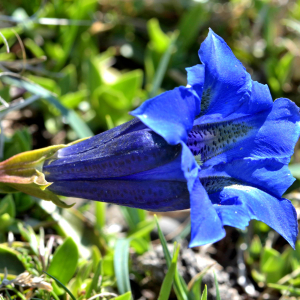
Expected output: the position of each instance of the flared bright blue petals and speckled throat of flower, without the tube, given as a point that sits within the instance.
(242, 143)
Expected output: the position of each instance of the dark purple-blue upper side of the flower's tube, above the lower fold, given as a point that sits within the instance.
(127, 154)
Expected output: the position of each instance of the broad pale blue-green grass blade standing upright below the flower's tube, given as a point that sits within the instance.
(121, 265)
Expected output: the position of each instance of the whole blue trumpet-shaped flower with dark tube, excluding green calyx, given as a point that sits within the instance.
(220, 146)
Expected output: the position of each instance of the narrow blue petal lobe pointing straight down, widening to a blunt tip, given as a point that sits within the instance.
(206, 226)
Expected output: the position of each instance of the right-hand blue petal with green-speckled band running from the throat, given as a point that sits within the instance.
(261, 135)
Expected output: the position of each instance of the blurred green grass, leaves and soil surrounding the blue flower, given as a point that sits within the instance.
(79, 67)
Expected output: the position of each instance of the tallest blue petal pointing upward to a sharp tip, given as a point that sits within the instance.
(227, 84)
